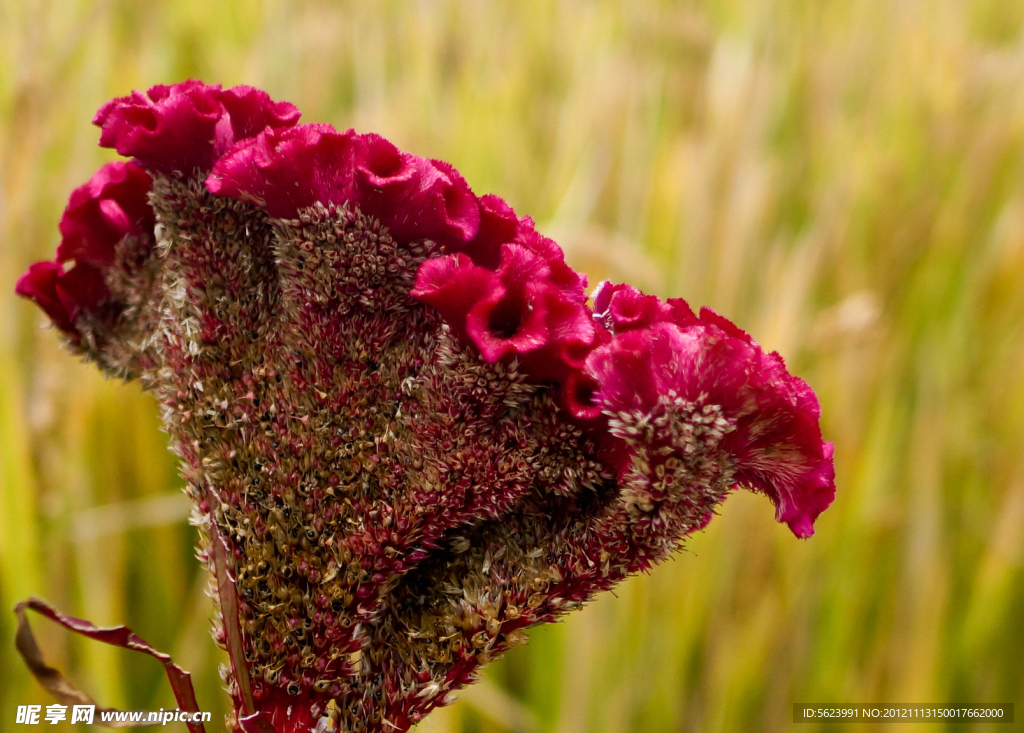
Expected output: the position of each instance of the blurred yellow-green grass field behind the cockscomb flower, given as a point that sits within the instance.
(843, 180)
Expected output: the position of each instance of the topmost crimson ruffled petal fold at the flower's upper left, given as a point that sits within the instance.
(188, 126)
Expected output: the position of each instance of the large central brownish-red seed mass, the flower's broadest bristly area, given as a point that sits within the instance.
(339, 454)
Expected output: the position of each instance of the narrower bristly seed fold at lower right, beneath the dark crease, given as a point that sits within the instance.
(473, 600)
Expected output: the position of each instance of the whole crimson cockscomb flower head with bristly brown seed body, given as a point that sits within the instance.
(408, 435)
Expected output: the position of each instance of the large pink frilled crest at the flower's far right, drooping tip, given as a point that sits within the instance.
(777, 445)
